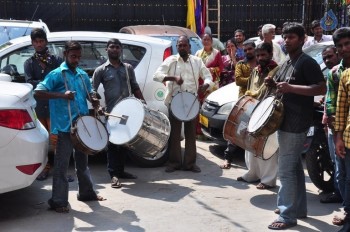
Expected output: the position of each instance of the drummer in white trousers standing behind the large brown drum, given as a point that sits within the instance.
(258, 169)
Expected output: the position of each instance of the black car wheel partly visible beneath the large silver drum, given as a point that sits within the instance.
(148, 162)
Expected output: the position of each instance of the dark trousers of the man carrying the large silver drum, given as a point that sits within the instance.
(115, 159)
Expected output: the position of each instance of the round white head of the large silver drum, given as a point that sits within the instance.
(121, 131)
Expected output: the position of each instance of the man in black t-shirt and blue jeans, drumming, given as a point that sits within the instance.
(298, 81)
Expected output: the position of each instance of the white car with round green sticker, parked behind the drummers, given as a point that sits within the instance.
(144, 53)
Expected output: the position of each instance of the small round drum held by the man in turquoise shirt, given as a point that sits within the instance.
(89, 135)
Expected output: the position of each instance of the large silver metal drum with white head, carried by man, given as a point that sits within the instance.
(142, 130)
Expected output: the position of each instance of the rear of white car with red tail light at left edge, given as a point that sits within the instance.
(23, 140)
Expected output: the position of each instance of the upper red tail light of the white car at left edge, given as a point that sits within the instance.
(16, 119)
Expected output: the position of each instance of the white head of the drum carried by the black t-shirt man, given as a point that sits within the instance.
(260, 114)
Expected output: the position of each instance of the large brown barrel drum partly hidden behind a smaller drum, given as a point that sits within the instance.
(235, 130)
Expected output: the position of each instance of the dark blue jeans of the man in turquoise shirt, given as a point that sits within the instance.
(60, 184)
